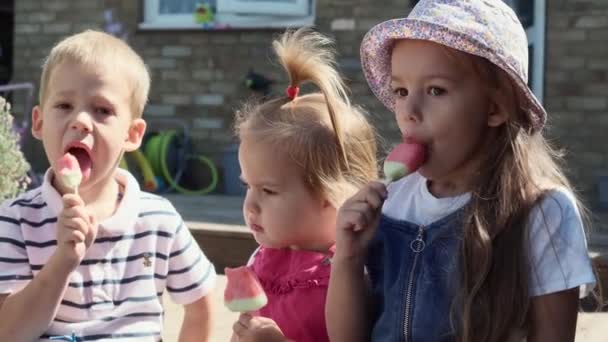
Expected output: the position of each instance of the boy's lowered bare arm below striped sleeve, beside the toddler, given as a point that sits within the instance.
(197, 321)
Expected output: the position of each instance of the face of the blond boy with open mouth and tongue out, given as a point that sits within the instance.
(87, 112)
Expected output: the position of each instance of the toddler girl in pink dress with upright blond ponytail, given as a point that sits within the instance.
(301, 156)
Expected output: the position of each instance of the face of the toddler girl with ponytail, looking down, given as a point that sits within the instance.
(279, 208)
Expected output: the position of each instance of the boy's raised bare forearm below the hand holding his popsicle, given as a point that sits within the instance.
(25, 315)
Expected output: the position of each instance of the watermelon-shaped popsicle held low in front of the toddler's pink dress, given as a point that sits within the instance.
(243, 292)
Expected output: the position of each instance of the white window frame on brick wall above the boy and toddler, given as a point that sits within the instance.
(154, 20)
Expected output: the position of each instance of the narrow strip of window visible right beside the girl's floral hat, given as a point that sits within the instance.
(531, 13)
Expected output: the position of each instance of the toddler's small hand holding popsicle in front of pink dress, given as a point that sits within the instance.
(252, 329)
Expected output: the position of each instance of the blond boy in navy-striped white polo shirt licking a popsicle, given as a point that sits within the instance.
(92, 265)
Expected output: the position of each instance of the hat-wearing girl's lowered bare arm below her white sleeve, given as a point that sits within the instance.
(553, 316)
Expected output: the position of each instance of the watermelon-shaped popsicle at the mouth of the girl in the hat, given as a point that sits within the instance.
(404, 159)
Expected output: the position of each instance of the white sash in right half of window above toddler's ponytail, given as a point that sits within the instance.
(296, 8)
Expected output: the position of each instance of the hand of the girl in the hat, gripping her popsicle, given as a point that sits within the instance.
(357, 220)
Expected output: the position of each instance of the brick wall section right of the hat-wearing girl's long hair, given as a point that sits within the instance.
(576, 89)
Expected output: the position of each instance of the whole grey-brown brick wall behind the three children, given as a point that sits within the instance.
(198, 75)
